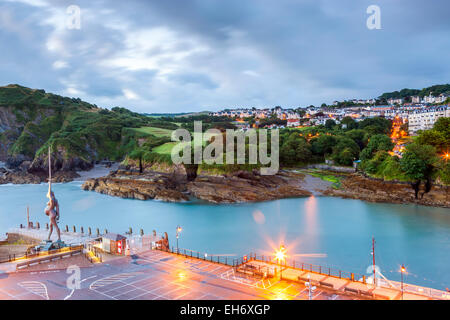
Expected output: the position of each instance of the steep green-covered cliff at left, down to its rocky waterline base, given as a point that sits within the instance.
(78, 133)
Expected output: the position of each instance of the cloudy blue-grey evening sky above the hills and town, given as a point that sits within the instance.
(174, 56)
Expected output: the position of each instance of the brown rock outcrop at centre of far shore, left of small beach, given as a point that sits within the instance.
(235, 188)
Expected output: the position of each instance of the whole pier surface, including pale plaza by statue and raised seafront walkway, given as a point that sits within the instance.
(154, 274)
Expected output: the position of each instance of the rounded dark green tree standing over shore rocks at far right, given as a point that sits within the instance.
(418, 163)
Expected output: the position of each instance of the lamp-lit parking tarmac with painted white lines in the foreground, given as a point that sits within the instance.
(154, 274)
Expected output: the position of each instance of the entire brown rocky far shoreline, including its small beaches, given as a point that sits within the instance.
(242, 187)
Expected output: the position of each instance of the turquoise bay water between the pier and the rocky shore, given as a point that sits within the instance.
(342, 229)
